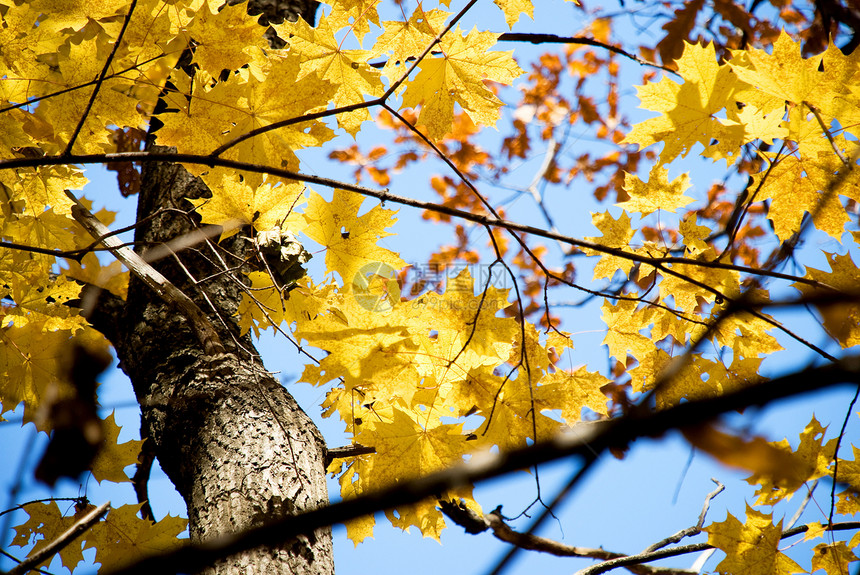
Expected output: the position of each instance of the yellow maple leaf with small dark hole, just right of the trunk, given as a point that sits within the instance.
(350, 239)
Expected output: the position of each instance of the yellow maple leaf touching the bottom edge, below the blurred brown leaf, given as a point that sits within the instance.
(751, 548)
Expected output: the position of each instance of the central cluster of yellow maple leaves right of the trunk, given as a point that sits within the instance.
(409, 367)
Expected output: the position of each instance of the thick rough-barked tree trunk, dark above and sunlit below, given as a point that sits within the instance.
(233, 441)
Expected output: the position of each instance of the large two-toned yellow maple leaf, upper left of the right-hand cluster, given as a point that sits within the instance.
(688, 111)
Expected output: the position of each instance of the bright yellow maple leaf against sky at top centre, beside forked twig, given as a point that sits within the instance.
(458, 77)
